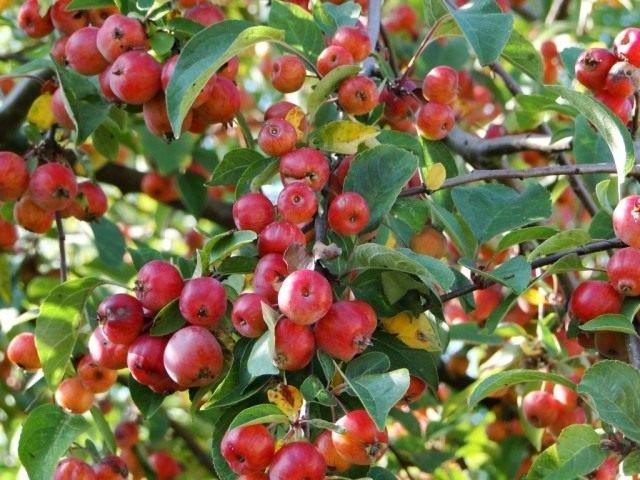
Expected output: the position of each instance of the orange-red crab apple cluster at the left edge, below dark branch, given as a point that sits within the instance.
(49, 188)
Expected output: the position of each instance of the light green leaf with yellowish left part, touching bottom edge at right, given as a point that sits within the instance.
(577, 453)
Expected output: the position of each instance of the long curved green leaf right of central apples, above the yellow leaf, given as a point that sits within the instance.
(378, 257)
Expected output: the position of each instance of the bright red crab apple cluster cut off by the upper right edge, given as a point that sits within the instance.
(612, 74)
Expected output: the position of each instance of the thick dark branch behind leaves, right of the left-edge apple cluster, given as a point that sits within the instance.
(129, 180)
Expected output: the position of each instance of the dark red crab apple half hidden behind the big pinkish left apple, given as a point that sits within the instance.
(145, 362)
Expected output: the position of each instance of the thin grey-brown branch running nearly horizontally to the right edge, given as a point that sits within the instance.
(483, 175)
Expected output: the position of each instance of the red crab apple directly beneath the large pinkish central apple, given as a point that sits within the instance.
(295, 345)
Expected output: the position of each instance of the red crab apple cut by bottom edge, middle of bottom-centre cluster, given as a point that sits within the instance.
(298, 461)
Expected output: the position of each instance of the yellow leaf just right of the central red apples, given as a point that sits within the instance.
(415, 332)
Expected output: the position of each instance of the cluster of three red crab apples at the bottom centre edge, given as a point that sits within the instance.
(250, 450)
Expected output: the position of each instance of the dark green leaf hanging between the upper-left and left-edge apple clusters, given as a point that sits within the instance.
(87, 107)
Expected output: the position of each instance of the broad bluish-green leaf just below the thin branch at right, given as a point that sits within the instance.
(509, 209)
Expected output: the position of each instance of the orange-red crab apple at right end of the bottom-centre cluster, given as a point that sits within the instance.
(362, 443)
